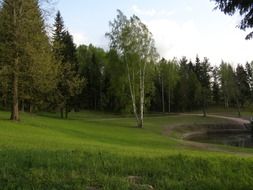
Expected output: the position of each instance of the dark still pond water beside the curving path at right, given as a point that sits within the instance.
(240, 140)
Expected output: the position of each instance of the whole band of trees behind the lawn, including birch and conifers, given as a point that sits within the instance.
(42, 73)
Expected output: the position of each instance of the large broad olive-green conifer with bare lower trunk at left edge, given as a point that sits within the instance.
(25, 50)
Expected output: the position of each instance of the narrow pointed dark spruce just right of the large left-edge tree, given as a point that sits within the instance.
(70, 83)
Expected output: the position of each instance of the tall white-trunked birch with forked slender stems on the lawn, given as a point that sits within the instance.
(134, 43)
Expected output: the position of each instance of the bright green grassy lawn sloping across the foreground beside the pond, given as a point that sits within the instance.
(101, 151)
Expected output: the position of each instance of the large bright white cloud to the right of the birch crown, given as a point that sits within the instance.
(177, 37)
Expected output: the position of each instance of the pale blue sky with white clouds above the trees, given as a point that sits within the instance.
(179, 27)
